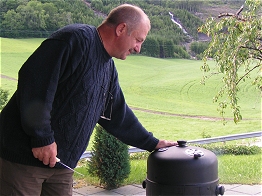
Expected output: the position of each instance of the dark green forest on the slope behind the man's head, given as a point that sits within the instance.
(39, 18)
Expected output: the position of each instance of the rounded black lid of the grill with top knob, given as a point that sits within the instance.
(182, 164)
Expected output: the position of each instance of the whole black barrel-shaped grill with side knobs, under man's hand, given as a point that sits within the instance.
(182, 170)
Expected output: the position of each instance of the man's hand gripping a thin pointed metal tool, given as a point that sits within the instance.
(46, 154)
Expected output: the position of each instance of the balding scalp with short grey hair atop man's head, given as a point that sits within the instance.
(132, 15)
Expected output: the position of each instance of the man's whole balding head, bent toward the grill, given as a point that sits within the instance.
(124, 31)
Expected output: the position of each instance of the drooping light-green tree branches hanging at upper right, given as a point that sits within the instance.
(236, 45)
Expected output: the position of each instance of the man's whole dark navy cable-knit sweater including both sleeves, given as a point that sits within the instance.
(63, 89)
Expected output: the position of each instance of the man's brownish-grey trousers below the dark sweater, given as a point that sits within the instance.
(17, 179)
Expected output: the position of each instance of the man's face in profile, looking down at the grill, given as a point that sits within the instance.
(131, 43)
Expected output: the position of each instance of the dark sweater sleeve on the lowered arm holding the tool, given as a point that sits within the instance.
(38, 80)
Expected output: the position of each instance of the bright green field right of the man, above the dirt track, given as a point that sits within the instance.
(173, 85)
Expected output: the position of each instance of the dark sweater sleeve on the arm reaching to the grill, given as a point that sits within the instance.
(125, 126)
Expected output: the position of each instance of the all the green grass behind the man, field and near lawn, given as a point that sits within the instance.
(169, 86)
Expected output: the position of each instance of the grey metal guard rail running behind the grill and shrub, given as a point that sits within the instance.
(88, 154)
